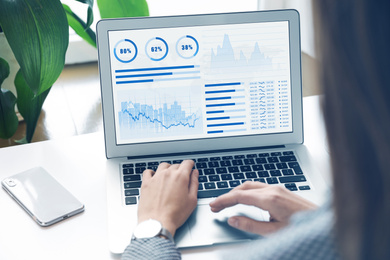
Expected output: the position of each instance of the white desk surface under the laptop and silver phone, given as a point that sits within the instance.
(78, 163)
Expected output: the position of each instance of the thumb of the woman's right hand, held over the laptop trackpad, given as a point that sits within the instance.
(258, 227)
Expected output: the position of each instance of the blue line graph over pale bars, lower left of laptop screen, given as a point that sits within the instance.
(158, 116)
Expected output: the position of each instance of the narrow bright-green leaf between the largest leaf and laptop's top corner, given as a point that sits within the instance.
(79, 26)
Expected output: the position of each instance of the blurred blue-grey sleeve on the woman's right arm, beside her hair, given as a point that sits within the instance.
(309, 236)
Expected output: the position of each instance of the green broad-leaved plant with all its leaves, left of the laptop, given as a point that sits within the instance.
(37, 32)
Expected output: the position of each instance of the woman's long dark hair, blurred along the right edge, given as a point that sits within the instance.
(354, 44)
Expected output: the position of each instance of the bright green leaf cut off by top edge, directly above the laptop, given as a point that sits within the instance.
(122, 8)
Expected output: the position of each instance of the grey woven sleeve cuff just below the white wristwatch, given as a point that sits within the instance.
(151, 248)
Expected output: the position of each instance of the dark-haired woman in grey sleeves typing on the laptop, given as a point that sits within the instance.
(353, 38)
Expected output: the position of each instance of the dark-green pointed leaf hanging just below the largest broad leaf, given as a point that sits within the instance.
(29, 104)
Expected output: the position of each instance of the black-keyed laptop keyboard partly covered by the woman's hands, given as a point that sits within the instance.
(220, 174)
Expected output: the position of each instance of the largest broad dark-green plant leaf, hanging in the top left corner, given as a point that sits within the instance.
(37, 31)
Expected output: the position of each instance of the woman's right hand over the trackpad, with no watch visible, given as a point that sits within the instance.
(278, 201)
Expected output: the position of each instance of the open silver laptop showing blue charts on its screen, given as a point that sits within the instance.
(221, 89)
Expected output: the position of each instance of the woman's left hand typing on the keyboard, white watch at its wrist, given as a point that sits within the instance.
(169, 195)
